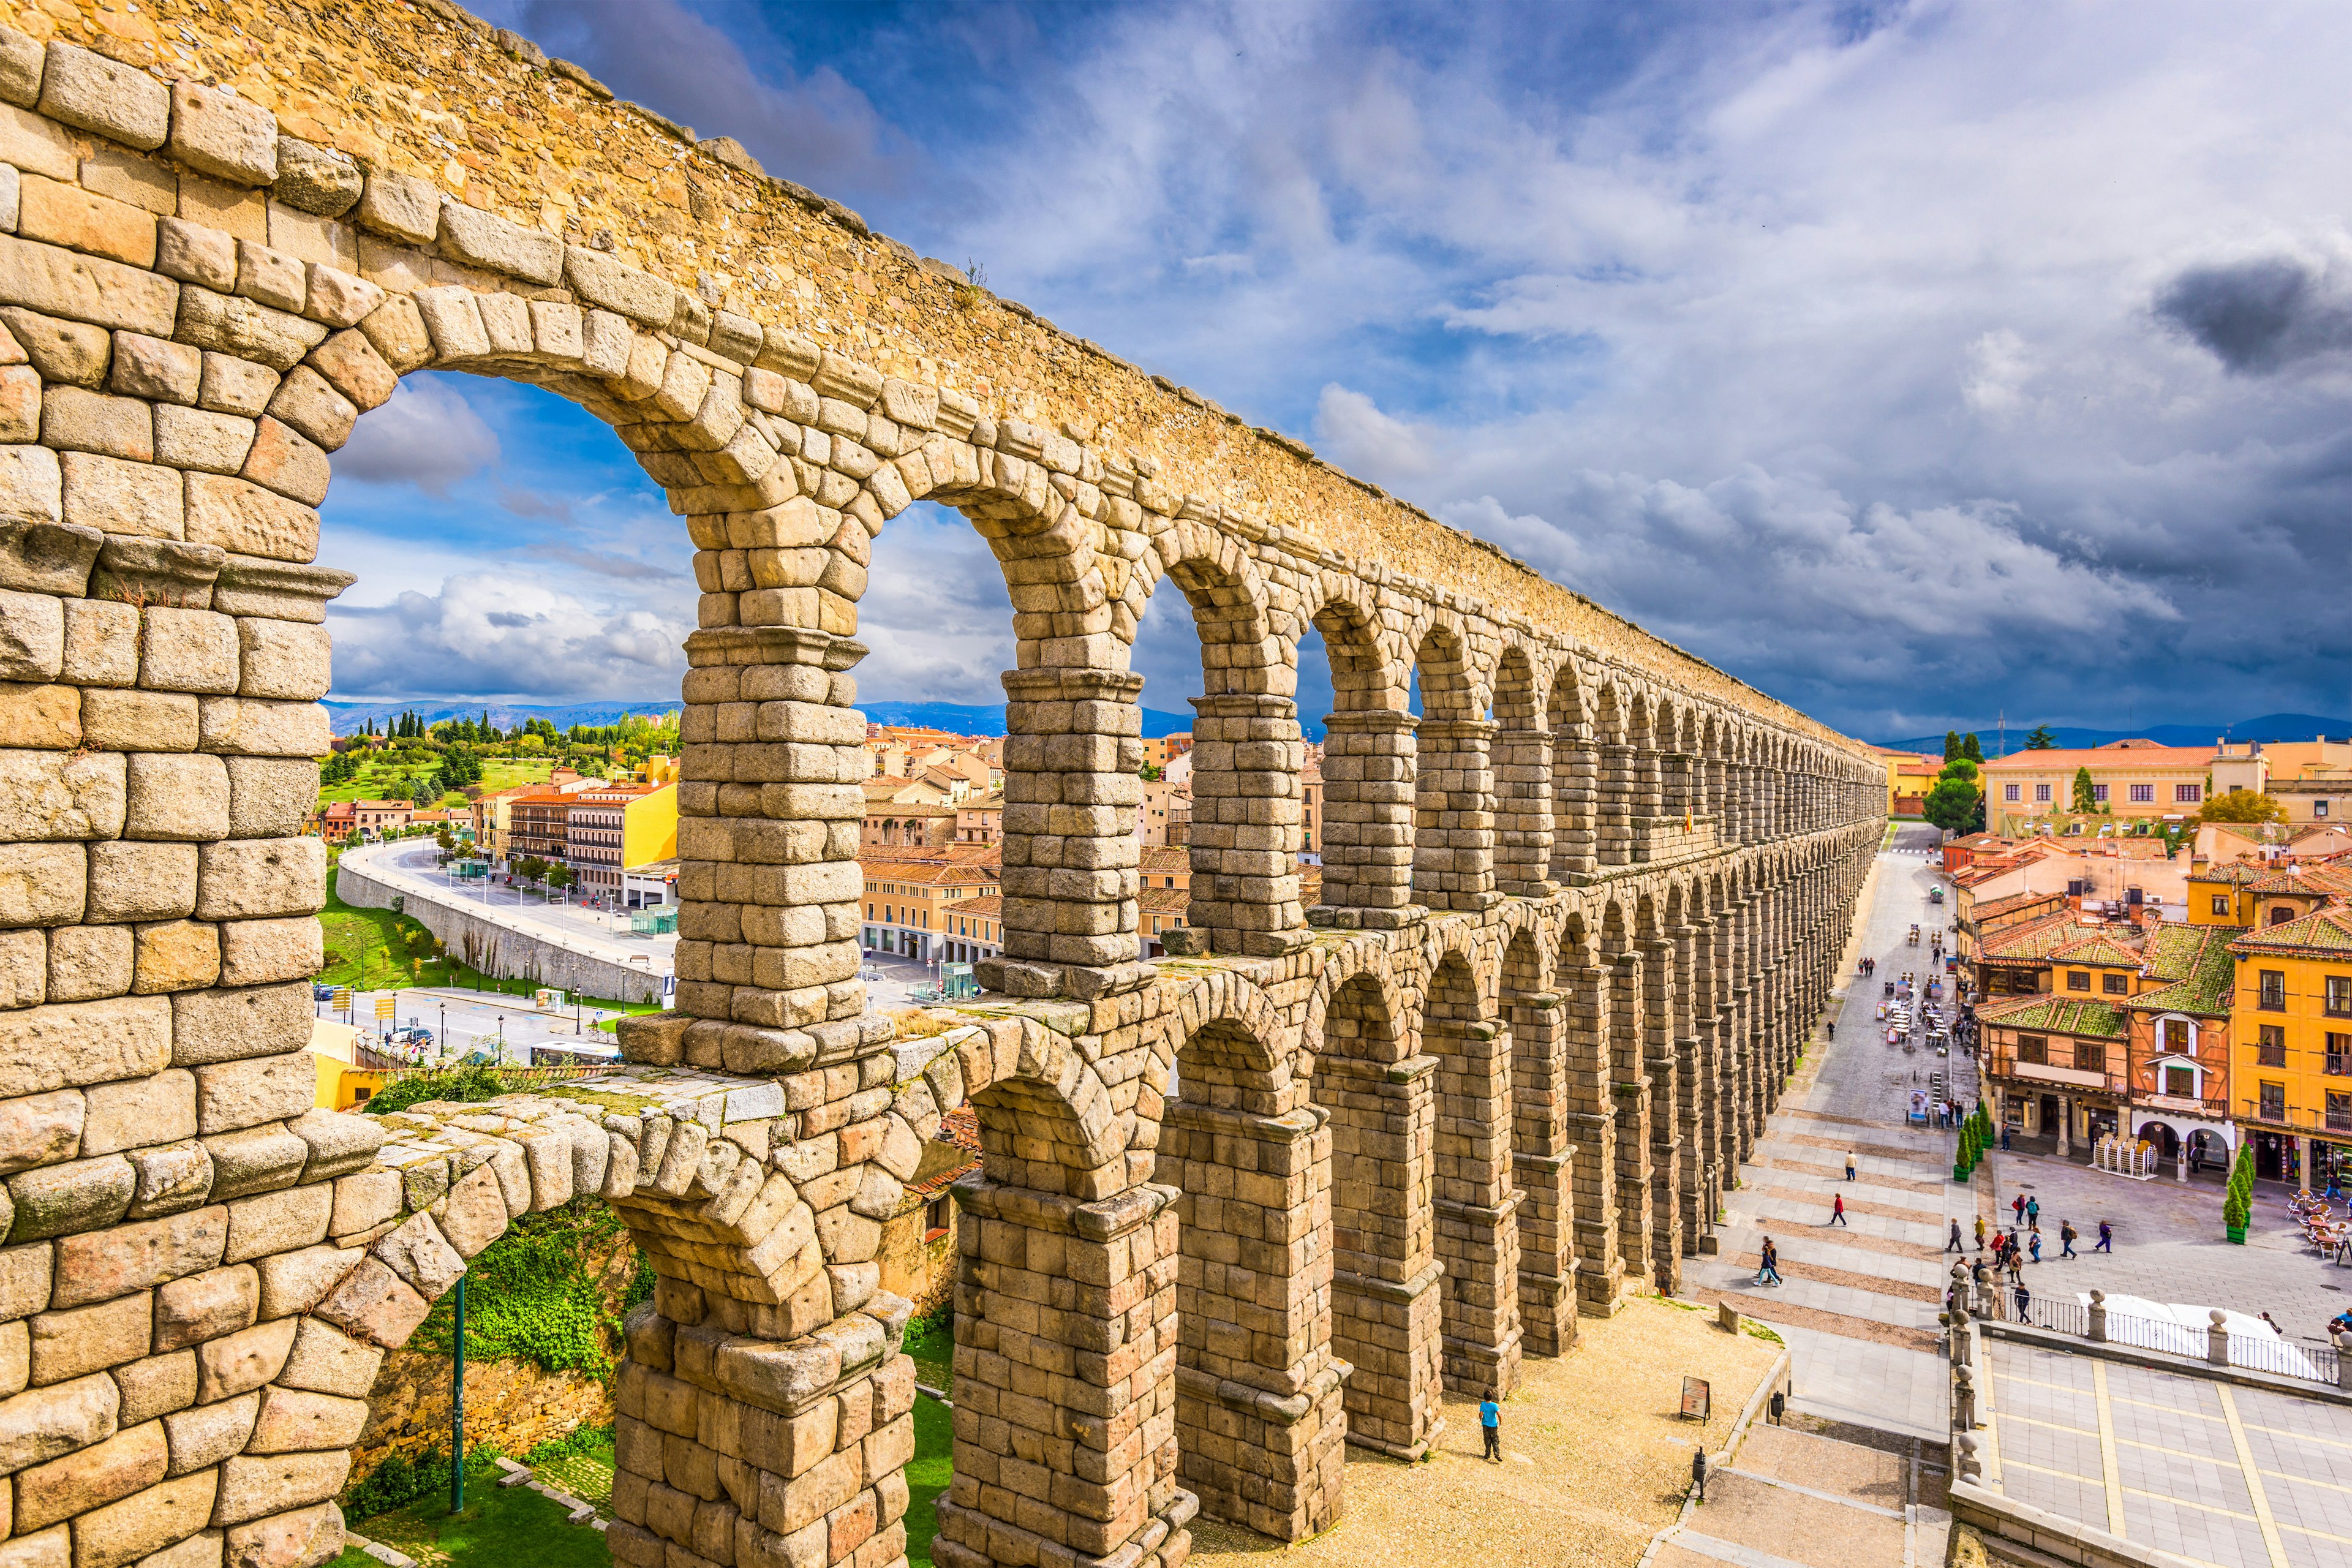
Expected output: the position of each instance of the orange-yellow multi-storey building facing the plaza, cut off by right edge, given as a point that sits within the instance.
(2292, 1043)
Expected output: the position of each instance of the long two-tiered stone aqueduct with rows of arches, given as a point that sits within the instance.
(1238, 1207)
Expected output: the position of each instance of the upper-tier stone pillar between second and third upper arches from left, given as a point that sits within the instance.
(1071, 796)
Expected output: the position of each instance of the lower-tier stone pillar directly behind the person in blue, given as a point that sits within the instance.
(1478, 1231)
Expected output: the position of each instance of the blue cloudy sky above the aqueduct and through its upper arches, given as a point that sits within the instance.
(1913, 363)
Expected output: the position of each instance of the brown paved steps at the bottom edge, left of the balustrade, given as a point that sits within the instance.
(1817, 1494)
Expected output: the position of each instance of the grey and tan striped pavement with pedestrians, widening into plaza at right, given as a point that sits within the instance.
(1862, 1299)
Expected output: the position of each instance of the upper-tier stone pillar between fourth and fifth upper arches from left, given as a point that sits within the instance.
(1368, 822)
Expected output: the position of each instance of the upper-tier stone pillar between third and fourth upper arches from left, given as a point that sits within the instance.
(1248, 812)
